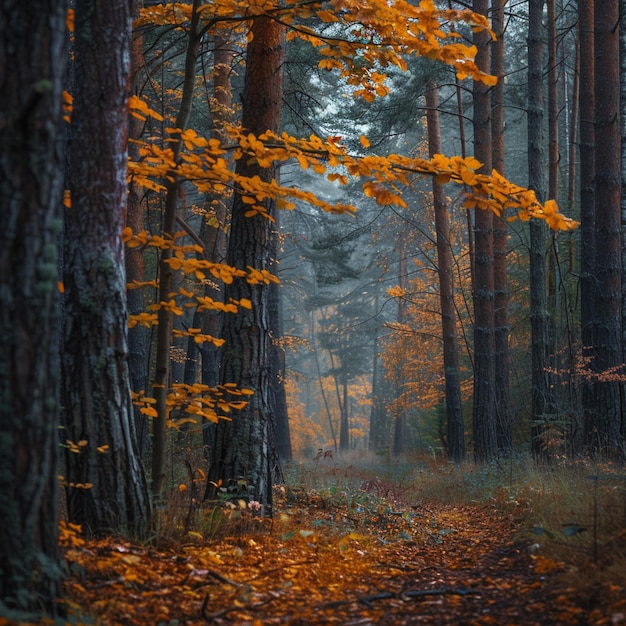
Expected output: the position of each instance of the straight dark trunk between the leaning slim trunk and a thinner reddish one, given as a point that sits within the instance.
(484, 418)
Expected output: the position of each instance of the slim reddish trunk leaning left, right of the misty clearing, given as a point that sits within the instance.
(454, 411)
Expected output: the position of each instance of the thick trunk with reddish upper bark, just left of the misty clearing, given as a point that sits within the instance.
(245, 458)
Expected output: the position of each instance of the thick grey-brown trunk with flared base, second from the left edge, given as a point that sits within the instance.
(98, 414)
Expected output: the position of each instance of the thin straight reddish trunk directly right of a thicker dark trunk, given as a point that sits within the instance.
(500, 241)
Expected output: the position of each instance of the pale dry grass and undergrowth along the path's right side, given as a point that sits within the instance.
(571, 512)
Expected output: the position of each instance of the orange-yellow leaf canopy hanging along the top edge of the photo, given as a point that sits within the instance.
(375, 35)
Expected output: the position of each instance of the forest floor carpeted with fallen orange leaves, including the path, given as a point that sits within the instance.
(330, 561)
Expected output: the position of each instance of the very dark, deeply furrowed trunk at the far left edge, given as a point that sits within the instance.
(32, 59)
